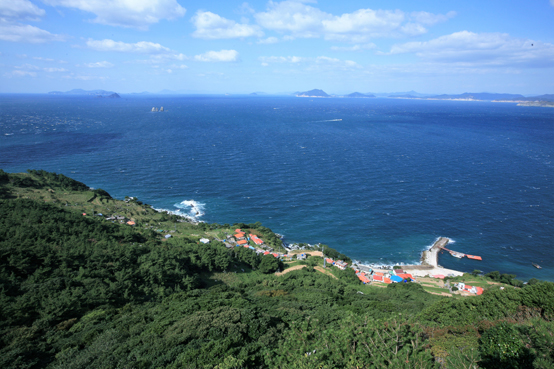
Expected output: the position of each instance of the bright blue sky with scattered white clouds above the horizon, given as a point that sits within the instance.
(277, 47)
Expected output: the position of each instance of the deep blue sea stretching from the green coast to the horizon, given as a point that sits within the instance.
(379, 179)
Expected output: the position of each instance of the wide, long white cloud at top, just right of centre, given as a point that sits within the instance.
(301, 20)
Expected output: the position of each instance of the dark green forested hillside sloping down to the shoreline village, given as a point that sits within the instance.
(82, 292)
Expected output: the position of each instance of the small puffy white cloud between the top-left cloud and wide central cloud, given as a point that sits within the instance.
(212, 26)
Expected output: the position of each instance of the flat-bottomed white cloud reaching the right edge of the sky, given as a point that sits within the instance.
(481, 49)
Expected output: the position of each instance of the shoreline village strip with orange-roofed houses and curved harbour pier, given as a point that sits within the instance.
(133, 213)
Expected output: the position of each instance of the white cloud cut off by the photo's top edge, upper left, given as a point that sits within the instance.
(126, 13)
